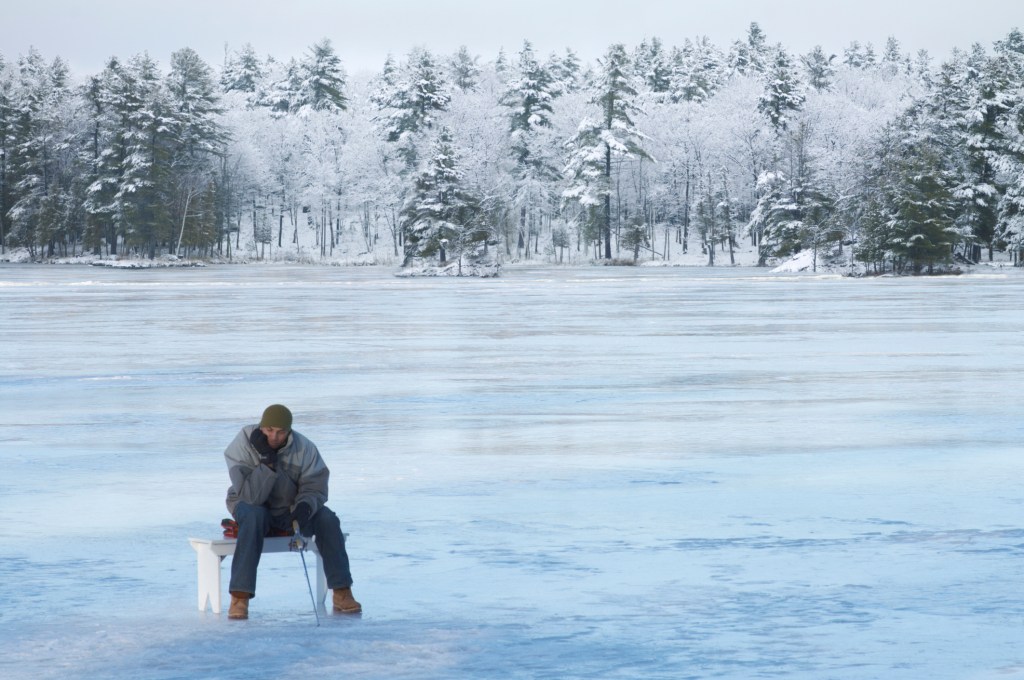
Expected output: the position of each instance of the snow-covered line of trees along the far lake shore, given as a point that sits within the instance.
(649, 152)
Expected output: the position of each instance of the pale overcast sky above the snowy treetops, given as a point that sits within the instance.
(364, 32)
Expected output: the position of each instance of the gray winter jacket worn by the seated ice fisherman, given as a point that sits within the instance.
(302, 475)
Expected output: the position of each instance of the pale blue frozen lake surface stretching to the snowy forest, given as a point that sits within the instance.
(560, 474)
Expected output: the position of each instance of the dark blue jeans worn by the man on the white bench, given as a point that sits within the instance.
(255, 523)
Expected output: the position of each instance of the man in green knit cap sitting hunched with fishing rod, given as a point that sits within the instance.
(279, 478)
